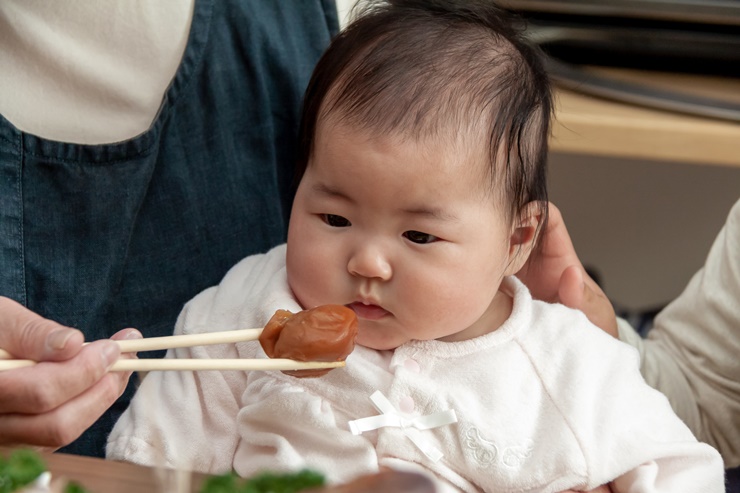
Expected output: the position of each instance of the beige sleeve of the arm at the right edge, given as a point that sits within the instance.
(692, 354)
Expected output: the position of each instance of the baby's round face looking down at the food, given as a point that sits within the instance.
(403, 233)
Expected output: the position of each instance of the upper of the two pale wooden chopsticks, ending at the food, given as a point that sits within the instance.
(182, 340)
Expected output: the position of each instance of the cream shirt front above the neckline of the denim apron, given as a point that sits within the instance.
(89, 72)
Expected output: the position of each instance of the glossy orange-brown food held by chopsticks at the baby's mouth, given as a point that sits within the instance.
(325, 333)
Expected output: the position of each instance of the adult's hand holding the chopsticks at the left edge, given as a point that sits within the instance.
(50, 404)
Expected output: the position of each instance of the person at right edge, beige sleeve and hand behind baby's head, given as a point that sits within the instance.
(691, 353)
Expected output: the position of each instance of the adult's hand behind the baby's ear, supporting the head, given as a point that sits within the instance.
(555, 274)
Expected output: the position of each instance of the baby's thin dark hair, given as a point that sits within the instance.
(421, 67)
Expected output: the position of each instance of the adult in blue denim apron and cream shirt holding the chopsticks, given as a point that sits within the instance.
(145, 147)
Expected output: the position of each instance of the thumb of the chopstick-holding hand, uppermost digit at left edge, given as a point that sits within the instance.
(25, 334)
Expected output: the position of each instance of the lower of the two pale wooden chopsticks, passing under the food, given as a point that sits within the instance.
(183, 364)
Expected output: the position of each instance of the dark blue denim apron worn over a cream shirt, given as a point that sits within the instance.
(112, 236)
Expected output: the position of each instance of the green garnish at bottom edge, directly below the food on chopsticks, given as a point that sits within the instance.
(263, 483)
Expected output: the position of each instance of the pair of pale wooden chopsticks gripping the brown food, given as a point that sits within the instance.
(188, 340)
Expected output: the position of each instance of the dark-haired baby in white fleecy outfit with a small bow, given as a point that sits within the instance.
(422, 191)
